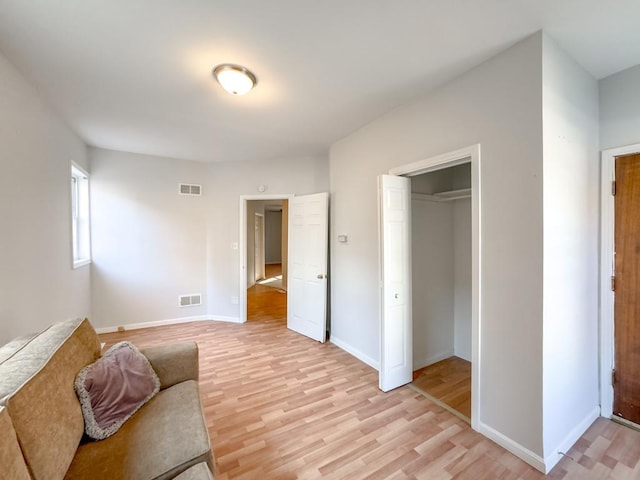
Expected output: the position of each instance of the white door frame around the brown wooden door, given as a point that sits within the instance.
(607, 246)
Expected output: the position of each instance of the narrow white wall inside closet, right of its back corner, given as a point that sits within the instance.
(461, 213)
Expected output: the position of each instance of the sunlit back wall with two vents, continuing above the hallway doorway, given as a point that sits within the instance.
(151, 244)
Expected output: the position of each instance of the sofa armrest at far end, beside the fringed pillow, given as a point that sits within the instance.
(174, 363)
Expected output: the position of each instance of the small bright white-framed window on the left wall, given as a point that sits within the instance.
(80, 231)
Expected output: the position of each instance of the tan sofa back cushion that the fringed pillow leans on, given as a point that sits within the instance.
(36, 385)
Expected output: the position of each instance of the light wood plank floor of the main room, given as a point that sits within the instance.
(281, 406)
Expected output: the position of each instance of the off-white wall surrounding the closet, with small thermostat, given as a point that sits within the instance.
(498, 105)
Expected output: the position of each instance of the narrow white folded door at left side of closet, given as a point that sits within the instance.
(396, 347)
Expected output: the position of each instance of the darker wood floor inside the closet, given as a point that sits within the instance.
(448, 381)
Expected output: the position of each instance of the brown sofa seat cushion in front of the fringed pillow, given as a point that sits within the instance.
(159, 441)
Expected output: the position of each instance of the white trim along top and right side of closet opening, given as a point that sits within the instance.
(471, 155)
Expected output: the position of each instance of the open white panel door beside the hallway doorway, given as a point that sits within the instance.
(307, 282)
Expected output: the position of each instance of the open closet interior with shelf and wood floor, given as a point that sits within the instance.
(441, 244)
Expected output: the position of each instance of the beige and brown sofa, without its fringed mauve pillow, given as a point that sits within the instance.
(41, 421)
